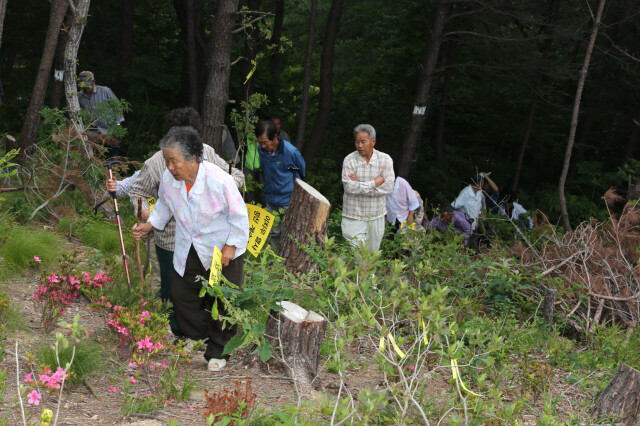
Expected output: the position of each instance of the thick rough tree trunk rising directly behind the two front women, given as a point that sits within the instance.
(217, 91)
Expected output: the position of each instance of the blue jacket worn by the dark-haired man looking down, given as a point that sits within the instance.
(280, 172)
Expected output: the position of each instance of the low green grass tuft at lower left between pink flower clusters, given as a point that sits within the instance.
(84, 363)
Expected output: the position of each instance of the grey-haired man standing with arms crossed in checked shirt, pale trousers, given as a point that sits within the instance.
(367, 176)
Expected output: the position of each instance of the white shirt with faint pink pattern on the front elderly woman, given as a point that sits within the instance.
(212, 214)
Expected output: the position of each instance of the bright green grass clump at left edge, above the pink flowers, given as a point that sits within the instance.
(22, 244)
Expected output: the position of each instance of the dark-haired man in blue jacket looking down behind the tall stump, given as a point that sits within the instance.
(281, 163)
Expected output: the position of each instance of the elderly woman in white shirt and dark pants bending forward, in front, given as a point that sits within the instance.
(209, 212)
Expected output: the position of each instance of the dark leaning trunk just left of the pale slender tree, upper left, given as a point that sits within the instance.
(32, 119)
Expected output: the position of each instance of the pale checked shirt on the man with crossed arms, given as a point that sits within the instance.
(363, 200)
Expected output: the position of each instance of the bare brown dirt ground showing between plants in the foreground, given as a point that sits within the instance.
(93, 402)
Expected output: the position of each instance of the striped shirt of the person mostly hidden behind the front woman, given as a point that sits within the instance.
(148, 182)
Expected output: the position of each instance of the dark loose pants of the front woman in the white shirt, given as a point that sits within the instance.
(193, 313)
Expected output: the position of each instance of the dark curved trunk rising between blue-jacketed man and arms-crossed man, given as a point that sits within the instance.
(326, 82)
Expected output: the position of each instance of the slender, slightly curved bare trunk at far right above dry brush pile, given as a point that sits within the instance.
(574, 118)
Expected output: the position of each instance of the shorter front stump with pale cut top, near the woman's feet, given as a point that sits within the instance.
(296, 335)
